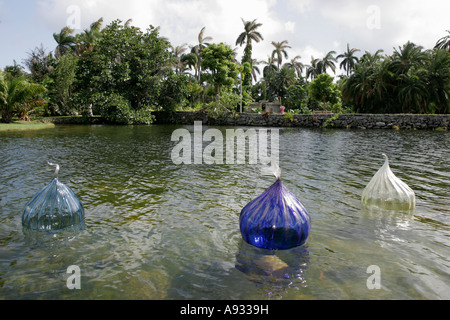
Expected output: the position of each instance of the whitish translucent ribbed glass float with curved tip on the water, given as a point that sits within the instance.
(386, 191)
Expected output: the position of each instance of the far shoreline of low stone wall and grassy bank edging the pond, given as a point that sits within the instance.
(438, 122)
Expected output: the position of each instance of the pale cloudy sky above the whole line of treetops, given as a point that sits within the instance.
(311, 27)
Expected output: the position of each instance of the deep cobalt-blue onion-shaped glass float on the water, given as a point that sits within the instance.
(276, 220)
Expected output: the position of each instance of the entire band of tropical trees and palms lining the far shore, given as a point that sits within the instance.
(123, 74)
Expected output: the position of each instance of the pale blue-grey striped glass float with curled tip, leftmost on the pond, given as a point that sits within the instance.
(54, 208)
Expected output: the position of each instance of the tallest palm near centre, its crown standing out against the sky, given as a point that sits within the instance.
(249, 34)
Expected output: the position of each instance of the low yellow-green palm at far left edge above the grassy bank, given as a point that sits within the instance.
(18, 96)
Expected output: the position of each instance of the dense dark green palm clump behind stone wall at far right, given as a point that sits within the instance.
(412, 80)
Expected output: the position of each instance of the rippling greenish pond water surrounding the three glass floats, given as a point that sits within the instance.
(157, 230)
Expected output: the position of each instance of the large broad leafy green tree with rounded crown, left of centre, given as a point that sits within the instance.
(128, 65)
